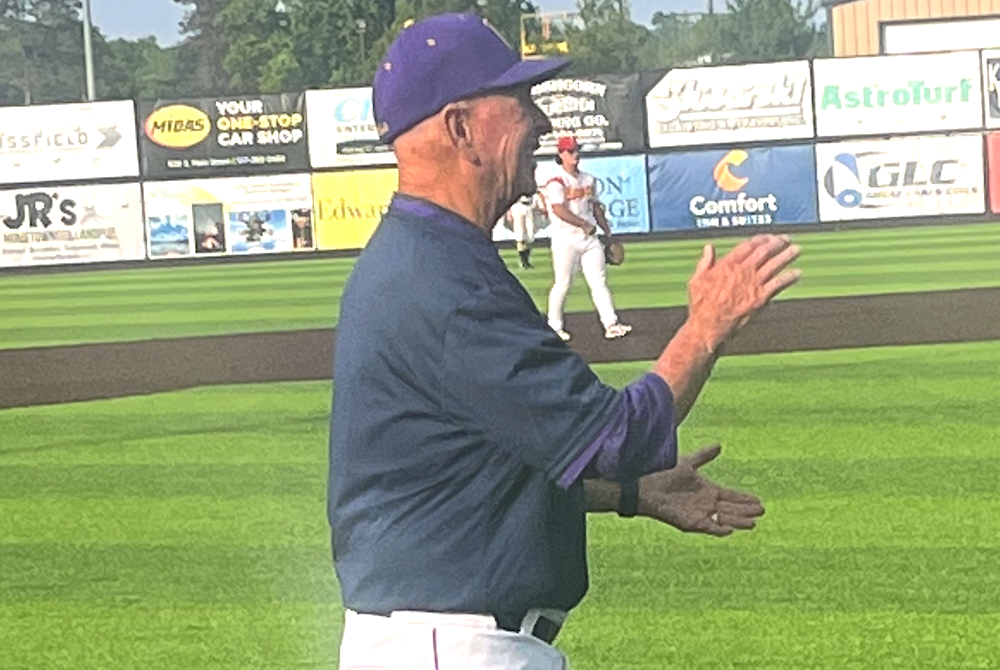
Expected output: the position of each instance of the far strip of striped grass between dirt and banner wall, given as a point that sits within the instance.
(155, 302)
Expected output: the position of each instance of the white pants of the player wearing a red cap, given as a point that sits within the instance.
(570, 252)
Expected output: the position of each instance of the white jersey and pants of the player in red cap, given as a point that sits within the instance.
(573, 248)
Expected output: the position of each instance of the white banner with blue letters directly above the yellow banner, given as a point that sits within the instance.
(342, 129)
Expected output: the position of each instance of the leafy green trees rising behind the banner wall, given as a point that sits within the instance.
(267, 46)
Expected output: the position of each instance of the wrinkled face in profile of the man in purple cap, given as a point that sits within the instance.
(509, 126)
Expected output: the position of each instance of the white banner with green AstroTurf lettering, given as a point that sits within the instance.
(879, 95)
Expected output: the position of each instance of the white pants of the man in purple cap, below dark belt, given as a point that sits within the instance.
(434, 641)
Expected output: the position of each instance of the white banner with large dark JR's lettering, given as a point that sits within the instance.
(71, 224)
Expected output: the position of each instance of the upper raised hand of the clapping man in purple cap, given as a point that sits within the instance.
(723, 294)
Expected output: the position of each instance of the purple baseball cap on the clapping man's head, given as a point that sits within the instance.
(442, 59)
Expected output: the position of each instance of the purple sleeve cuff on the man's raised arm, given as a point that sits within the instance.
(641, 437)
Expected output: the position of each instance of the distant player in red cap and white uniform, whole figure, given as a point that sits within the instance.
(575, 215)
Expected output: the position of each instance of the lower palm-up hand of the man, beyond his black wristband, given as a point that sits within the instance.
(684, 499)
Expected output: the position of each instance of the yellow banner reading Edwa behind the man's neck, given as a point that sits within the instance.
(349, 205)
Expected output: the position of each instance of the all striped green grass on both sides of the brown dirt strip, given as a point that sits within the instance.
(186, 531)
